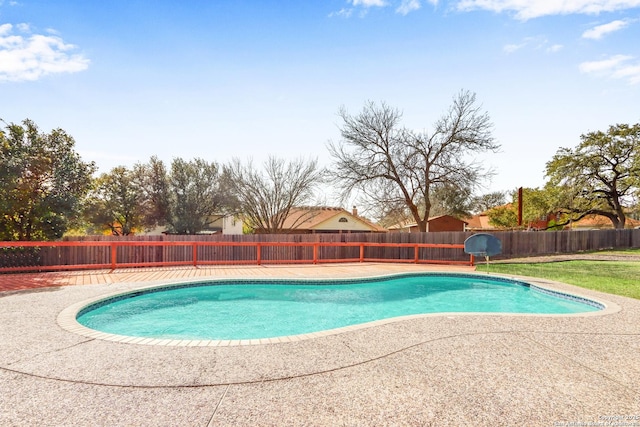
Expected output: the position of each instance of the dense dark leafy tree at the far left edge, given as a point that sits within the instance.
(42, 182)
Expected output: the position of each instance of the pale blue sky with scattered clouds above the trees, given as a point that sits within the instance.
(222, 79)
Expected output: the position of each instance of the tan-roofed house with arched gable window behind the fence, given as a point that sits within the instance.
(321, 219)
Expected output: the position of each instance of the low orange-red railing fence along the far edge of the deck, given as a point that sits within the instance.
(106, 254)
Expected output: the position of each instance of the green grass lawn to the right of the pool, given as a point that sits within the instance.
(614, 277)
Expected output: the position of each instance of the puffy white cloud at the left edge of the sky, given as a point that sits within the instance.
(33, 56)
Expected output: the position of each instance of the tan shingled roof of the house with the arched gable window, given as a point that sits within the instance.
(320, 217)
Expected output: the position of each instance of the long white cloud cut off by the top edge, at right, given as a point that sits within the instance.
(528, 9)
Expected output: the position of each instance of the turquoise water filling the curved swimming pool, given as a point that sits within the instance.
(250, 310)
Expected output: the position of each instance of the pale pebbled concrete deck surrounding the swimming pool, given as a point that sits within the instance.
(449, 369)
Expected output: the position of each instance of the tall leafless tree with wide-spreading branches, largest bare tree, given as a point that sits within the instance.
(395, 168)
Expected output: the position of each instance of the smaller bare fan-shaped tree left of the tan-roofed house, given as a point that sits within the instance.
(266, 199)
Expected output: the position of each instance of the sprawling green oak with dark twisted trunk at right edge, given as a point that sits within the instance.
(600, 176)
